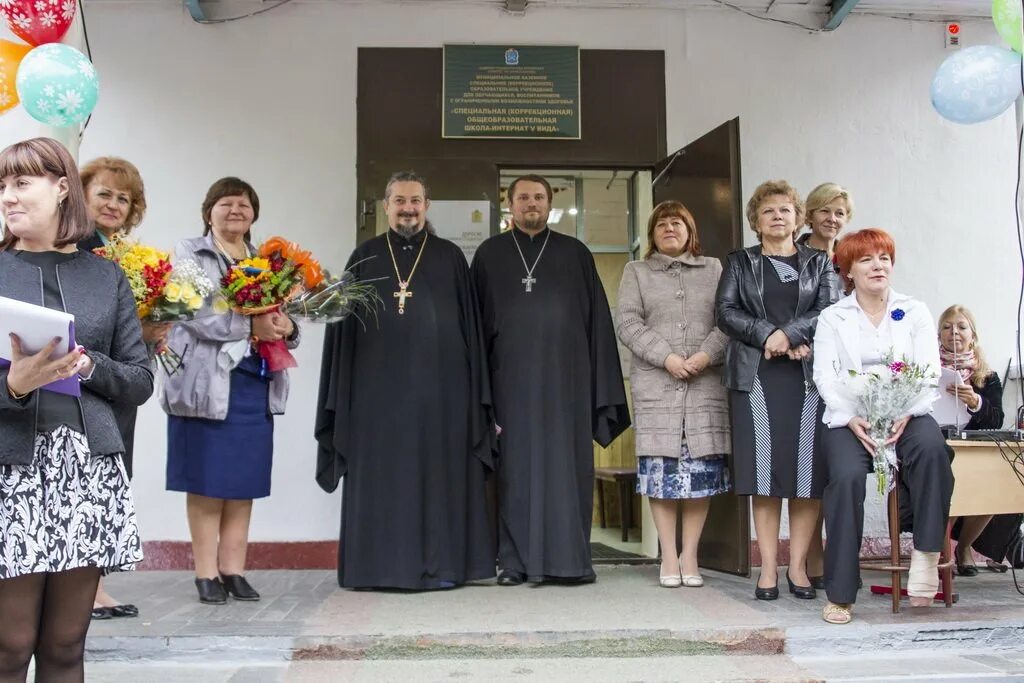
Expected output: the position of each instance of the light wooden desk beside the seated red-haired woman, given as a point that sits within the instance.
(987, 484)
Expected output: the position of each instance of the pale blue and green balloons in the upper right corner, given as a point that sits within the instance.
(980, 83)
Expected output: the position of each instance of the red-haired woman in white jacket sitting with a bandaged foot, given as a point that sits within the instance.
(855, 334)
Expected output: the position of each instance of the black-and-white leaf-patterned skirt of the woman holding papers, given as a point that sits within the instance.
(67, 510)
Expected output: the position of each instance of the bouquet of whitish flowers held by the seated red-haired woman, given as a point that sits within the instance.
(883, 395)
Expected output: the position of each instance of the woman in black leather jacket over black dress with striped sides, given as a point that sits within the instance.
(769, 302)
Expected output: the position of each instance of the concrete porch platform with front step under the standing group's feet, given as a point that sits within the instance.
(304, 617)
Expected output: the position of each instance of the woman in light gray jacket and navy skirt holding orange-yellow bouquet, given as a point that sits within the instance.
(222, 403)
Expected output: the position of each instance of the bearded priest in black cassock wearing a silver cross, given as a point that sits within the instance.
(558, 386)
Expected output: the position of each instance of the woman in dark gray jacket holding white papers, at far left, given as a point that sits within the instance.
(67, 515)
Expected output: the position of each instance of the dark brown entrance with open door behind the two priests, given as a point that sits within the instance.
(625, 127)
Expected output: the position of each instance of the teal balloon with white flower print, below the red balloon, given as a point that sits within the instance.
(58, 86)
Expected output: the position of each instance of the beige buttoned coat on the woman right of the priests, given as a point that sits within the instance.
(667, 306)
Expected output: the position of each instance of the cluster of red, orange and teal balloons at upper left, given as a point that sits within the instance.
(57, 84)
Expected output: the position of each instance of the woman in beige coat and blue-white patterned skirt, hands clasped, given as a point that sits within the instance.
(666, 317)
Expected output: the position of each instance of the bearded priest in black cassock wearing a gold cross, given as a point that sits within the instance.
(405, 413)
